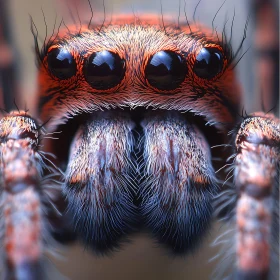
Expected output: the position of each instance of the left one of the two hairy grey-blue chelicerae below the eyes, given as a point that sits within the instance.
(99, 186)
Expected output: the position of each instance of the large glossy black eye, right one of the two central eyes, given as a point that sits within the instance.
(166, 70)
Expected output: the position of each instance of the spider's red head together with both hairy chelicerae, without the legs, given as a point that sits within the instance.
(147, 162)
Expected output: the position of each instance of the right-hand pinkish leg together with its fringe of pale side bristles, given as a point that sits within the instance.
(253, 198)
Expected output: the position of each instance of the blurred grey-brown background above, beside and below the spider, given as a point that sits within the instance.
(258, 72)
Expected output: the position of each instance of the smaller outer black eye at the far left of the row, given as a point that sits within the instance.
(61, 63)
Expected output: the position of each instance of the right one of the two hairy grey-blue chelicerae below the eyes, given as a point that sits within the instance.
(179, 181)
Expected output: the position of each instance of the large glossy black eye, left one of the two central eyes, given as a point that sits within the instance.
(104, 70)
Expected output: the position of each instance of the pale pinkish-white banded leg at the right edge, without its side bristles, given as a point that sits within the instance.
(257, 183)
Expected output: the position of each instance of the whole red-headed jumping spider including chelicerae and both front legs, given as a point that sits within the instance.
(137, 105)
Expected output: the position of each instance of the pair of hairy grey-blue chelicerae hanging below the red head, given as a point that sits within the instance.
(125, 169)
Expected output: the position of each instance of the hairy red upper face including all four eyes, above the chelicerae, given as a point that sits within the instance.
(138, 65)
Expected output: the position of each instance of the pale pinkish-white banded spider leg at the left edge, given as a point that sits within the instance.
(22, 197)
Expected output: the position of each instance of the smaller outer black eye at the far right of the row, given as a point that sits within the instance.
(209, 62)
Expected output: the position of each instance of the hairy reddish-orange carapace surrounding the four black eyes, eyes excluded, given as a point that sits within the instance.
(135, 42)
